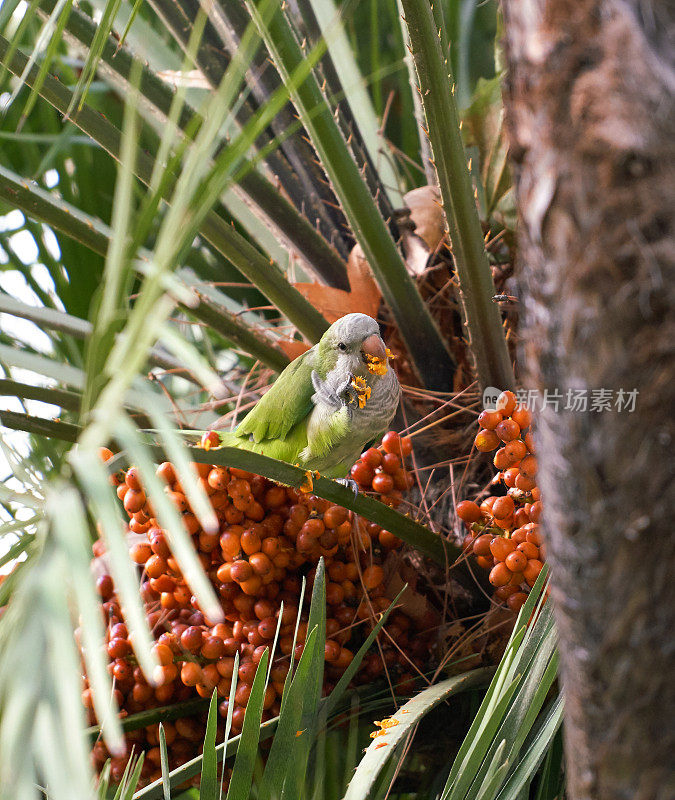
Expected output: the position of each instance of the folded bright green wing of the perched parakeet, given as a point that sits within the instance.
(284, 405)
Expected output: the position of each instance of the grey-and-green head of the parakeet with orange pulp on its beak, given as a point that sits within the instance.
(353, 344)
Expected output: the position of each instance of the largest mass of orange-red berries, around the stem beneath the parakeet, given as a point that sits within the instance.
(269, 537)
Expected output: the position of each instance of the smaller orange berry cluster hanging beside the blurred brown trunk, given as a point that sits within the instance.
(504, 530)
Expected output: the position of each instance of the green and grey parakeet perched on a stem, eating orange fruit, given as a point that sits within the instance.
(327, 404)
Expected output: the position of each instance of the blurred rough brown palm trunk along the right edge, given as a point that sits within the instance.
(589, 98)
